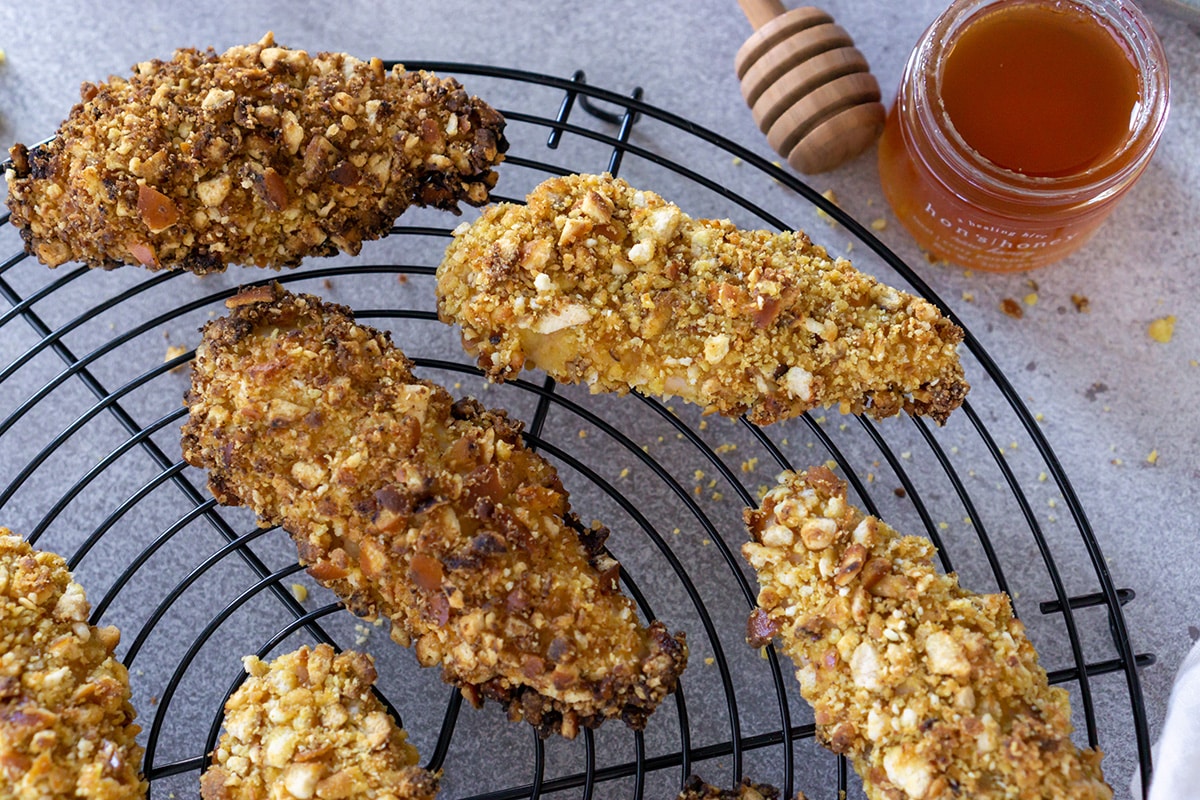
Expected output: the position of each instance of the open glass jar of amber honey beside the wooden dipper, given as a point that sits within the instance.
(1019, 125)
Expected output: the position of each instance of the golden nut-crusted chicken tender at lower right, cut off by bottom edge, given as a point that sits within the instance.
(934, 693)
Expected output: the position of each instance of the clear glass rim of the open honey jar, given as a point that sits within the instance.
(923, 75)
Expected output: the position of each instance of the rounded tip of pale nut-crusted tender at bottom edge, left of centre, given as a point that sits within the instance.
(308, 726)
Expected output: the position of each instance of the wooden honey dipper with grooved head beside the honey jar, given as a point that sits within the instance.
(809, 89)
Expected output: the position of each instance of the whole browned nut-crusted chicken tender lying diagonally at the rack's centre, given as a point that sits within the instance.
(423, 510)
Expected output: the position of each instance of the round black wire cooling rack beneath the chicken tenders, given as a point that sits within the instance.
(95, 365)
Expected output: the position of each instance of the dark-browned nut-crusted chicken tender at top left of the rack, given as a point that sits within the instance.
(262, 155)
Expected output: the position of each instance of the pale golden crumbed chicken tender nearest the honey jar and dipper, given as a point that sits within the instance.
(601, 284)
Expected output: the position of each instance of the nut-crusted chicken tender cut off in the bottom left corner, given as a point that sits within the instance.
(67, 723)
